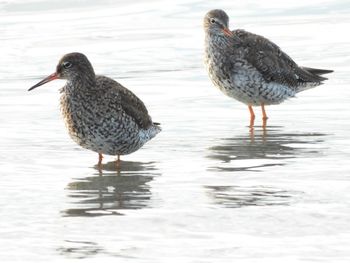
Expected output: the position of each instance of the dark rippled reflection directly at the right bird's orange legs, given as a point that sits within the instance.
(263, 148)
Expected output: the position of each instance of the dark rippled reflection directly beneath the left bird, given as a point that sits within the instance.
(109, 193)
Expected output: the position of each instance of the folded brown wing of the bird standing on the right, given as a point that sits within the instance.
(273, 64)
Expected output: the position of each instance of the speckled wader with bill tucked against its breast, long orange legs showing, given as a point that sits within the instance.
(252, 69)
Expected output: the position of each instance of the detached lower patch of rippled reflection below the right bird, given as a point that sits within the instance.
(242, 196)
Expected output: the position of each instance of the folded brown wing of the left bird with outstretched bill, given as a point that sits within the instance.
(128, 101)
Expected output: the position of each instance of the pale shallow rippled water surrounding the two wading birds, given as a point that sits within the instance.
(205, 189)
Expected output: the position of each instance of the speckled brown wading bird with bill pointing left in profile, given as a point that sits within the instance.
(100, 114)
